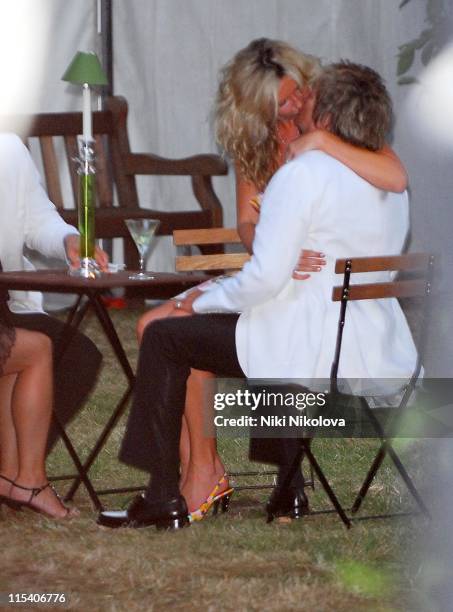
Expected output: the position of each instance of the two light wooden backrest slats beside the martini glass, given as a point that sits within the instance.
(208, 261)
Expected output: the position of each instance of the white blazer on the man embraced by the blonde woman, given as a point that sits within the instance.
(287, 328)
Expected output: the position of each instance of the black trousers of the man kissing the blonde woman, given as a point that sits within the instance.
(170, 347)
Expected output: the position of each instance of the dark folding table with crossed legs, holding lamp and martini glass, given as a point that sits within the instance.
(89, 292)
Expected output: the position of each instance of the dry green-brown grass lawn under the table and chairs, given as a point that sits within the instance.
(233, 562)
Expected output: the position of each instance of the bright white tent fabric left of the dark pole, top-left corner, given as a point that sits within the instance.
(38, 40)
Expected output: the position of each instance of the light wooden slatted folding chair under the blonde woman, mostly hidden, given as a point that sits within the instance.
(207, 241)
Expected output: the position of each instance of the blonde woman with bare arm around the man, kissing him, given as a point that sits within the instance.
(262, 92)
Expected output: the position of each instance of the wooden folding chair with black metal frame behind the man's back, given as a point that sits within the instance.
(419, 266)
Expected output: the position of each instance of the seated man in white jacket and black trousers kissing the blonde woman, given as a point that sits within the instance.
(286, 329)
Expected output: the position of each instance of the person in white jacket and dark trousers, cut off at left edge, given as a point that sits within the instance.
(28, 220)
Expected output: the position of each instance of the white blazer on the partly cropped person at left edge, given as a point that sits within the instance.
(27, 218)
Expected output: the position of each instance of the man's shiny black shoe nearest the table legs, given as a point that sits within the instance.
(172, 514)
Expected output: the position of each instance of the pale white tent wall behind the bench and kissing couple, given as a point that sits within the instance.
(167, 55)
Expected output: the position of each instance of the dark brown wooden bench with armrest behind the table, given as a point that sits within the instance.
(116, 171)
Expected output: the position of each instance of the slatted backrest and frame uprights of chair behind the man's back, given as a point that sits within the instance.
(419, 266)
